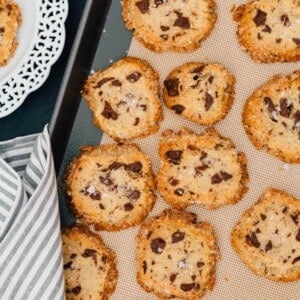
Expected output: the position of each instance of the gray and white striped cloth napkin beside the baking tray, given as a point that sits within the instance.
(30, 245)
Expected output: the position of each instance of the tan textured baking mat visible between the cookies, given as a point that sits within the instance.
(234, 280)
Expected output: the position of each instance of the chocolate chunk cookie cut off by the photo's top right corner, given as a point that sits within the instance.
(269, 30)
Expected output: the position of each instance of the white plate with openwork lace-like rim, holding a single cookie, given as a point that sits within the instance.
(41, 39)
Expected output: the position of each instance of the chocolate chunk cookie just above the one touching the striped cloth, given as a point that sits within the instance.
(110, 186)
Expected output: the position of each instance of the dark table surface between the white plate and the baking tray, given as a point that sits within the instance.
(37, 109)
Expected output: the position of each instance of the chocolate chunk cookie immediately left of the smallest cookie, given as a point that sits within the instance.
(124, 99)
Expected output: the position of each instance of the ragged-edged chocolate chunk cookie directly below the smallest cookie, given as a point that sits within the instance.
(200, 168)
